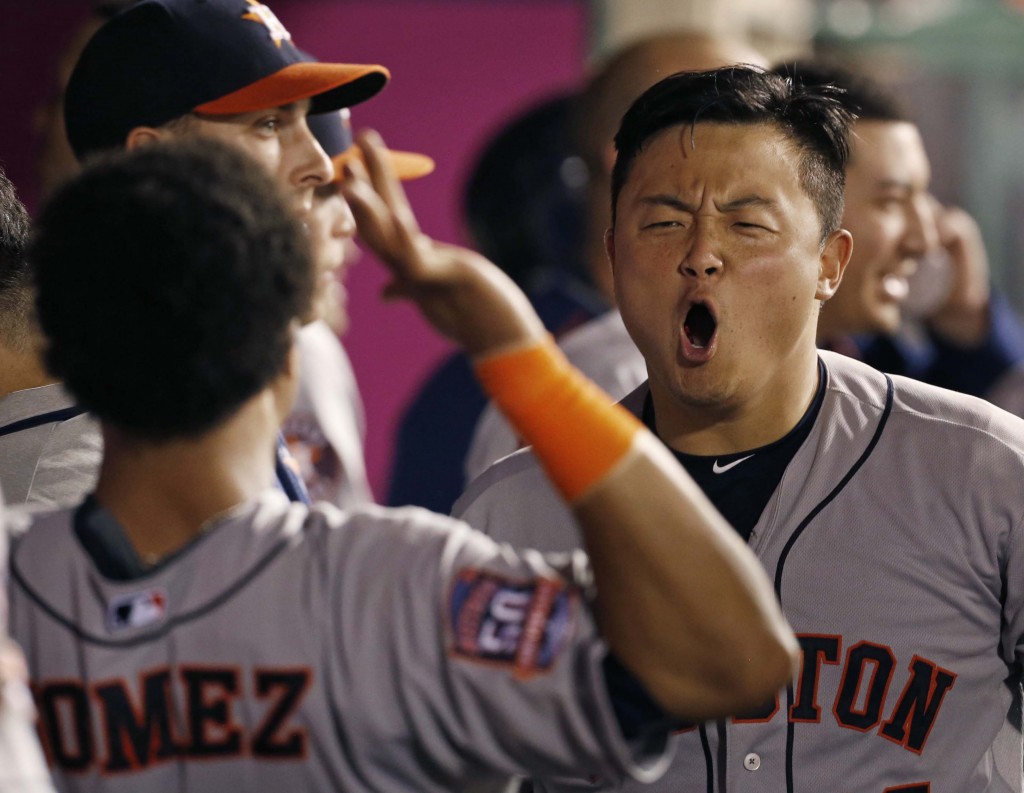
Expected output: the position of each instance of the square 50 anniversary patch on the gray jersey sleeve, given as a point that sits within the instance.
(523, 624)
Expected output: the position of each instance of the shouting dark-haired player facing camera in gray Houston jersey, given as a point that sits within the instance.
(886, 512)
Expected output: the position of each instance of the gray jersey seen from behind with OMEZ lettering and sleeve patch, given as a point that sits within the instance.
(306, 649)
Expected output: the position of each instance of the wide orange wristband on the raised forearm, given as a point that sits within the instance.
(577, 434)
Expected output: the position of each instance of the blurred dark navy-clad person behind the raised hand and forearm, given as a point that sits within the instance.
(524, 210)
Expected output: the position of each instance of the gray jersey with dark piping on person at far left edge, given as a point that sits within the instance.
(50, 450)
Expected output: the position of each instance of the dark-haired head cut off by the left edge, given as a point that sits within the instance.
(16, 302)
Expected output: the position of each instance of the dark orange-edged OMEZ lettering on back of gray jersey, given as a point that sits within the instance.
(184, 713)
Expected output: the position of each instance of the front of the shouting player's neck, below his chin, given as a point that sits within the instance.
(728, 428)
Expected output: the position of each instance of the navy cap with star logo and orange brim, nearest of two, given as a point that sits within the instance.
(160, 60)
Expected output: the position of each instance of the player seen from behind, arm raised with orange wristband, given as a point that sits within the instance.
(187, 629)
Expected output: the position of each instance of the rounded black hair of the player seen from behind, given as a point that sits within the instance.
(168, 280)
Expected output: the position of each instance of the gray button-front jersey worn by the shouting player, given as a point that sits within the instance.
(895, 544)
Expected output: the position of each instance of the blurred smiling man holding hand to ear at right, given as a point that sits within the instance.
(966, 341)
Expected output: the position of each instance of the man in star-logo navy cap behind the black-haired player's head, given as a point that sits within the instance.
(222, 69)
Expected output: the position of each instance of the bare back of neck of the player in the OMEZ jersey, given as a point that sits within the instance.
(164, 493)
